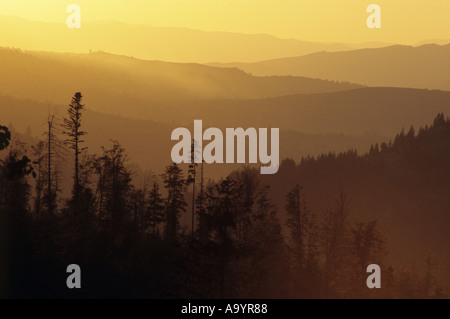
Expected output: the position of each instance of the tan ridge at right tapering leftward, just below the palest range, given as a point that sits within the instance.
(426, 66)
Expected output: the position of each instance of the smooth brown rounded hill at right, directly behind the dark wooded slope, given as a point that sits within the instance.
(373, 110)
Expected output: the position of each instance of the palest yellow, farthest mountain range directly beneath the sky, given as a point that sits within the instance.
(157, 43)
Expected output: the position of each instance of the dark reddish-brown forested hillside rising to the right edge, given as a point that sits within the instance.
(405, 184)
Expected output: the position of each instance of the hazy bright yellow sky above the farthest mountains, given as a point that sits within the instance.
(403, 21)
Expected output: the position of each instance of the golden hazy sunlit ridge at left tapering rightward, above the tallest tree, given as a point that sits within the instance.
(137, 88)
